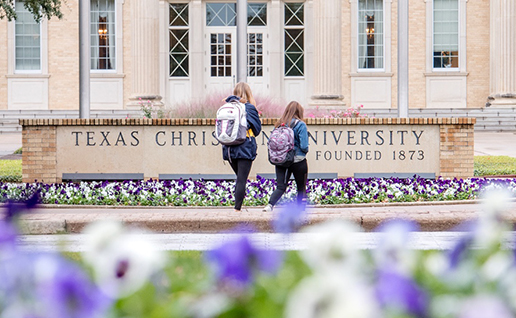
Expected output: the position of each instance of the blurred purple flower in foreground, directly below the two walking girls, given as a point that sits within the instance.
(237, 260)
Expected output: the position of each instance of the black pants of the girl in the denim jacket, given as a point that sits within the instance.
(300, 171)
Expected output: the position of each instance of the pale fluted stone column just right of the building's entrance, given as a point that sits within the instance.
(327, 89)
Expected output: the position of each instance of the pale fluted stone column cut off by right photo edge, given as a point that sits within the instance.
(503, 53)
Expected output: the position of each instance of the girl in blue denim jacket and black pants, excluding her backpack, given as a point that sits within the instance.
(292, 117)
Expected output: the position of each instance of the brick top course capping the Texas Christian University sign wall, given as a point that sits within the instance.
(265, 121)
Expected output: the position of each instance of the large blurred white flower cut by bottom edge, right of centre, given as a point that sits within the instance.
(332, 295)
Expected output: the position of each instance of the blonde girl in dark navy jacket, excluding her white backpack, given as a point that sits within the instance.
(241, 156)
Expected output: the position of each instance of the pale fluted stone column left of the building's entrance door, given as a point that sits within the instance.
(145, 52)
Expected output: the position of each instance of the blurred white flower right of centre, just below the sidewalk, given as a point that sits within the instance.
(333, 246)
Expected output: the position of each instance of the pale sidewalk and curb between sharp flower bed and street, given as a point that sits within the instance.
(433, 216)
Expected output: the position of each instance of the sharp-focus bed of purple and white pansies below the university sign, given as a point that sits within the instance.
(220, 193)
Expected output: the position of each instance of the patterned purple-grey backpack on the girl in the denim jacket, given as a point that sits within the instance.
(281, 146)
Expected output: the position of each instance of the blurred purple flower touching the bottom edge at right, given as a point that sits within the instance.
(400, 292)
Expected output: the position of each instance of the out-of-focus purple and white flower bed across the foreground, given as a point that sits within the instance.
(122, 273)
